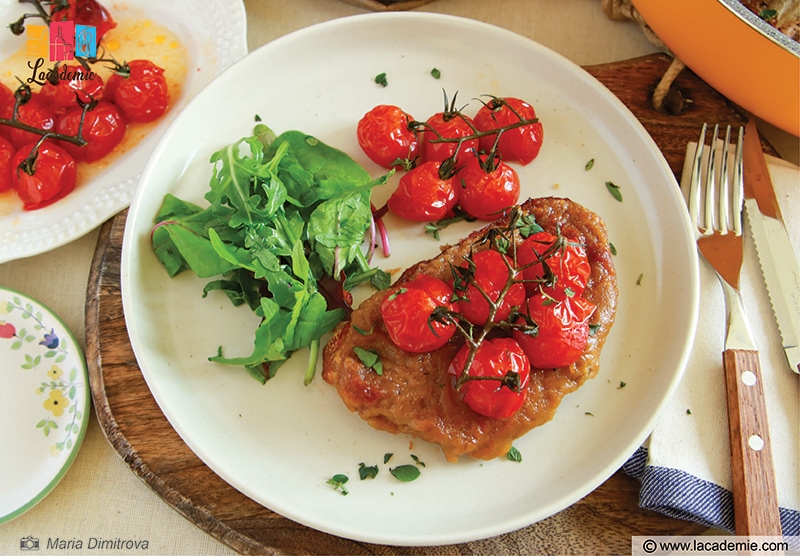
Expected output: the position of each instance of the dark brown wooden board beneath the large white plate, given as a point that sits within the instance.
(603, 522)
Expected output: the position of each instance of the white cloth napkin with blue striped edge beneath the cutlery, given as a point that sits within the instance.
(685, 464)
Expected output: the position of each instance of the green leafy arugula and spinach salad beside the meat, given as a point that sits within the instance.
(285, 230)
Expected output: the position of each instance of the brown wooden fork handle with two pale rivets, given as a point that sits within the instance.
(755, 496)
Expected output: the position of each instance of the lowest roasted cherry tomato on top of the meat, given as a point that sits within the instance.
(501, 359)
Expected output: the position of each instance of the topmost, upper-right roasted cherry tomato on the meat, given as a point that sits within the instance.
(557, 266)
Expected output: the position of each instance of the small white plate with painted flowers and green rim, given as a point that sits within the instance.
(44, 402)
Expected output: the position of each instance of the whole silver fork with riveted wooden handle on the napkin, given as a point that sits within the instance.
(720, 242)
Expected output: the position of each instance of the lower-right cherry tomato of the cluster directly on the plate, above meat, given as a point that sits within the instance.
(487, 187)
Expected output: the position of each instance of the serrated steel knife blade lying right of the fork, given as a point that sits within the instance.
(775, 254)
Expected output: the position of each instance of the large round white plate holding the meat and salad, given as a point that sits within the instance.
(281, 442)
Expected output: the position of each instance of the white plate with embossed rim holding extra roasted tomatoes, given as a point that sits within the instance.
(214, 38)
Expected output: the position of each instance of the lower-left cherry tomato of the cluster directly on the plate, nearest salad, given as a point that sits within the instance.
(424, 194)
